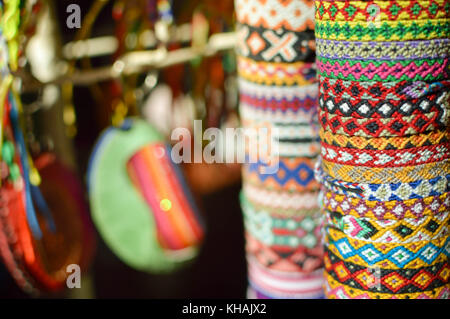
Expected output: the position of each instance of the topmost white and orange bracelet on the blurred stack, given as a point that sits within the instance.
(276, 14)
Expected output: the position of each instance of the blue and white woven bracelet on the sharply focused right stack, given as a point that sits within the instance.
(387, 192)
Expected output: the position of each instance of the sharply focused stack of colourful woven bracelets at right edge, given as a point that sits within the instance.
(383, 69)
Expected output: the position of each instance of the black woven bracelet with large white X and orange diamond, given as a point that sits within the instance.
(261, 44)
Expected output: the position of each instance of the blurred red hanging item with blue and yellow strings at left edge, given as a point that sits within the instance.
(38, 239)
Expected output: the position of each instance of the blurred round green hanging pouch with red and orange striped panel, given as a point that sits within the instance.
(140, 203)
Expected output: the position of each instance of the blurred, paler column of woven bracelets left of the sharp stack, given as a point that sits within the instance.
(278, 90)
